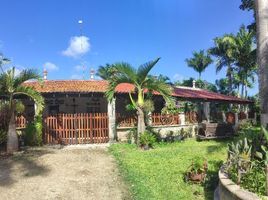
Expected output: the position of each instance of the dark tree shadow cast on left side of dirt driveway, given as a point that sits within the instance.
(22, 165)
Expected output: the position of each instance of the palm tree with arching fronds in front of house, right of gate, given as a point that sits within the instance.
(142, 82)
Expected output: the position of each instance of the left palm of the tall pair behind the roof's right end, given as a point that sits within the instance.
(223, 50)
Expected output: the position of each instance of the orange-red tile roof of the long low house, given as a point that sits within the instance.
(84, 86)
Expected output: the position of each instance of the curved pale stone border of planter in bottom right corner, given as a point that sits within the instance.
(228, 190)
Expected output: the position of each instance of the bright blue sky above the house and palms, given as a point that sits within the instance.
(37, 33)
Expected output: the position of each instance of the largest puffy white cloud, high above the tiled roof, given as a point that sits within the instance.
(78, 46)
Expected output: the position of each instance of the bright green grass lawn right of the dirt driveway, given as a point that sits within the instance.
(159, 173)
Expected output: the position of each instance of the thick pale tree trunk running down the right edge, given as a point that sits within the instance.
(262, 56)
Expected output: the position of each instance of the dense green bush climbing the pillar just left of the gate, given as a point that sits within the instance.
(33, 132)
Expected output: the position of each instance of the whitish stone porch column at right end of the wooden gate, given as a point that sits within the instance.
(112, 120)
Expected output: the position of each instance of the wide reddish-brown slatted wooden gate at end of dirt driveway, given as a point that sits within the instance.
(76, 128)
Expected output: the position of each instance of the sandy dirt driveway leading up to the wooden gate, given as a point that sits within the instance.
(47, 173)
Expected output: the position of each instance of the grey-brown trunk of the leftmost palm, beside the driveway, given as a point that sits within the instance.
(12, 138)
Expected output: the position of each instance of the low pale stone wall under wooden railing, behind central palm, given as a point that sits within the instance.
(162, 130)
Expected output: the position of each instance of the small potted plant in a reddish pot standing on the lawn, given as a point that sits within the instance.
(197, 170)
